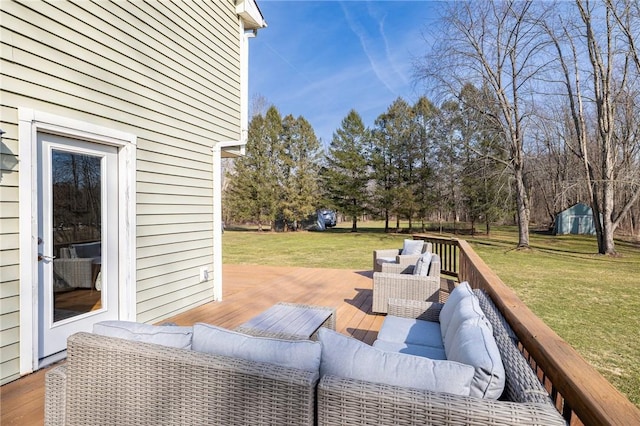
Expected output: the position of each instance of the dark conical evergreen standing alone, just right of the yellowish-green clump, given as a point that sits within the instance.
(345, 174)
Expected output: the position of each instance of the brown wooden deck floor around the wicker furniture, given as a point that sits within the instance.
(248, 290)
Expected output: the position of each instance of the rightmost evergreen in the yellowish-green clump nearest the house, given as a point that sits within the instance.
(301, 167)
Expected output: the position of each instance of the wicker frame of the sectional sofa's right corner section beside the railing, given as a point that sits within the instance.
(524, 402)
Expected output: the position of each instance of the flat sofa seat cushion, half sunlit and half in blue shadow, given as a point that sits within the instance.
(409, 330)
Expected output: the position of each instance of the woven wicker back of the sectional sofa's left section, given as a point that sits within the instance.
(115, 382)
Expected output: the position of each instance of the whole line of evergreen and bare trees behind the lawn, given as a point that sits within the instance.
(532, 107)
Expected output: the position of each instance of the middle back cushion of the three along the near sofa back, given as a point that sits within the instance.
(300, 354)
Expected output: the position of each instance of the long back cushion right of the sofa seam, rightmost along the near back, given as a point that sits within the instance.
(343, 356)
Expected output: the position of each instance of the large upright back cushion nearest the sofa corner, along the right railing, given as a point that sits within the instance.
(474, 344)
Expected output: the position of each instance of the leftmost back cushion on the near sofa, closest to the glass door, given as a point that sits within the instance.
(166, 335)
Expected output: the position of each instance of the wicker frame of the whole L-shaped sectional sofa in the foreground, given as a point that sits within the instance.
(108, 380)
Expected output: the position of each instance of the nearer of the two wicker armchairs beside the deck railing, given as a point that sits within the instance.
(396, 281)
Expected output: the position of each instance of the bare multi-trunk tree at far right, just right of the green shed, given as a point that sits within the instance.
(609, 149)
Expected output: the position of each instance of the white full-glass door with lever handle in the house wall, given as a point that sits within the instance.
(77, 239)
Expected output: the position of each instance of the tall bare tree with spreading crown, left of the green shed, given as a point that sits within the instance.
(496, 44)
